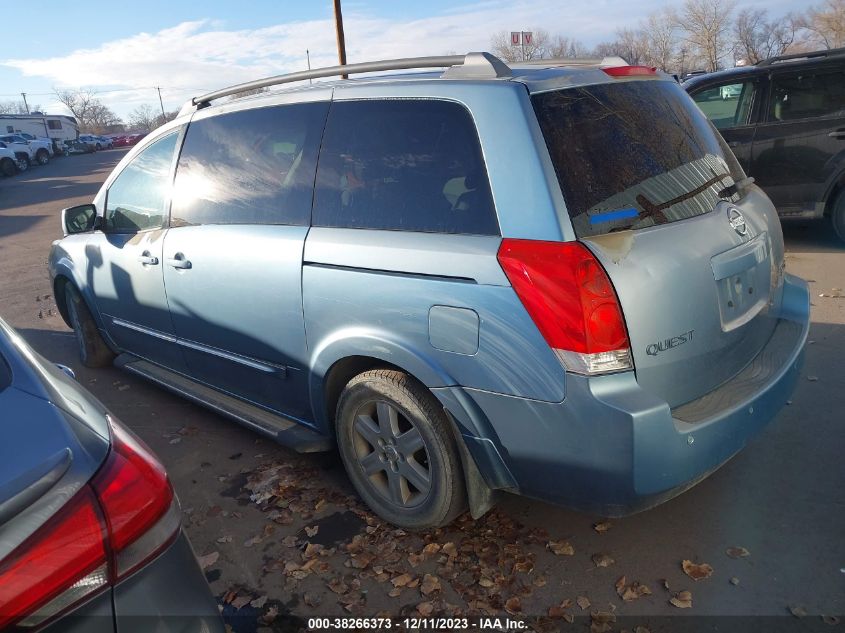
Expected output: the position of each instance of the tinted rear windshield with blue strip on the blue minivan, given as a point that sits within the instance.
(632, 154)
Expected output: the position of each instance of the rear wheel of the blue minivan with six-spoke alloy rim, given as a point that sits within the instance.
(397, 447)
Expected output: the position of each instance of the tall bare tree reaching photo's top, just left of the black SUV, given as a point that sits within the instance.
(704, 27)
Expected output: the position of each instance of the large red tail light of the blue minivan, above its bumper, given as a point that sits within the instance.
(571, 301)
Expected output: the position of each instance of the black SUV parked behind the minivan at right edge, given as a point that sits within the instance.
(785, 122)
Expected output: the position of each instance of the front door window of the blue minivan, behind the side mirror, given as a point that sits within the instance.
(137, 199)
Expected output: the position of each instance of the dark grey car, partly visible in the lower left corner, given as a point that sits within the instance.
(92, 535)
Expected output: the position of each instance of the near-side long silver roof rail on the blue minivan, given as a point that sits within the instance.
(469, 66)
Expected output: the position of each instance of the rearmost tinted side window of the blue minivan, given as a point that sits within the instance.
(403, 165)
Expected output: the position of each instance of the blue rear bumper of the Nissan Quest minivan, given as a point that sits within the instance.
(614, 449)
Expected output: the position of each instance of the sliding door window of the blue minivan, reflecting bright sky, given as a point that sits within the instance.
(250, 167)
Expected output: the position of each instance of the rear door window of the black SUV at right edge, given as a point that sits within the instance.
(807, 96)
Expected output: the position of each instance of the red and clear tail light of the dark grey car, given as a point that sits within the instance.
(126, 515)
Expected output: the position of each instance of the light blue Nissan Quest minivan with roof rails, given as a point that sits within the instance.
(601, 322)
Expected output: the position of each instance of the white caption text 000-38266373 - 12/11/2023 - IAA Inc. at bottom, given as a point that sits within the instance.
(417, 623)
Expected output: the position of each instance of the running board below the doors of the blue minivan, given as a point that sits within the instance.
(281, 429)
